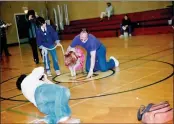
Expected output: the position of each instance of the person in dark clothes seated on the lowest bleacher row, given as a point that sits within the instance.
(126, 26)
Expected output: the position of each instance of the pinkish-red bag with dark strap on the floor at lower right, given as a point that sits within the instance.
(155, 113)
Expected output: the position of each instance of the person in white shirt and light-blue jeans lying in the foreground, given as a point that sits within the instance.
(49, 98)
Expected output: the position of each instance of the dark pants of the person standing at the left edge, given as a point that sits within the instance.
(4, 46)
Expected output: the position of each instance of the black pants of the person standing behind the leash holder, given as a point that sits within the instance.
(33, 44)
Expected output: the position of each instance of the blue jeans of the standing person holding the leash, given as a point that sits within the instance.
(54, 58)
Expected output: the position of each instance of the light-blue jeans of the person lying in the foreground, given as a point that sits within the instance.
(52, 100)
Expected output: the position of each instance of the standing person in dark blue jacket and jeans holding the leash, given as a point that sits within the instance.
(47, 37)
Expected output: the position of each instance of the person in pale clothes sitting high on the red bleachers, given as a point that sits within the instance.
(109, 11)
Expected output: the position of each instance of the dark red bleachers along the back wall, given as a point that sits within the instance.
(144, 23)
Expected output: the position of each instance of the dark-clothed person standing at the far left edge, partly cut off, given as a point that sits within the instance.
(3, 38)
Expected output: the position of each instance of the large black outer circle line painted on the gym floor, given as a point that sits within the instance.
(95, 96)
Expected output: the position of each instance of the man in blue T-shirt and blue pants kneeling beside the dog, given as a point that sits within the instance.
(96, 53)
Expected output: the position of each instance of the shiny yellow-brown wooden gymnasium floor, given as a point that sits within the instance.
(145, 75)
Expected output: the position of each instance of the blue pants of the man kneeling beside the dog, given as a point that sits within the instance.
(100, 61)
